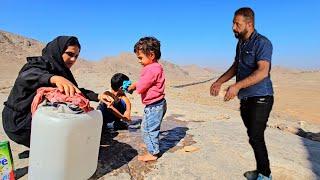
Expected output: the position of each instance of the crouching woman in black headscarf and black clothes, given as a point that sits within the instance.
(52, 69)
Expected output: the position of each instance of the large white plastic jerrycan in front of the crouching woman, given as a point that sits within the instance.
(64, 146)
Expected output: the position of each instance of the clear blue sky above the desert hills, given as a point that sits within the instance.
(191, 32)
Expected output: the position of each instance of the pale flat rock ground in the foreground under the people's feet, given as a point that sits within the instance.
(200, 141)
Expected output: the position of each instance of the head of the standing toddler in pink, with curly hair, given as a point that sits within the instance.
(147, 50)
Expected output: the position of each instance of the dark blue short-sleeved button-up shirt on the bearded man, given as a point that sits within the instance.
(248, 53)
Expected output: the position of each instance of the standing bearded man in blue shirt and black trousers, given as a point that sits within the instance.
(253, 86)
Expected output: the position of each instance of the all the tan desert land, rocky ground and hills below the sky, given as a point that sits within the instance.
(202, 136)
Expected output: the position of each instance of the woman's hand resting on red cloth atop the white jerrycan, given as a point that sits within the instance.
(64, 85)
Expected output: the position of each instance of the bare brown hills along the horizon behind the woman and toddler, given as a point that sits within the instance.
(15, 48)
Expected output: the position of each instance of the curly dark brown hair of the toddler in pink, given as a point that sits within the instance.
(148, 45)
